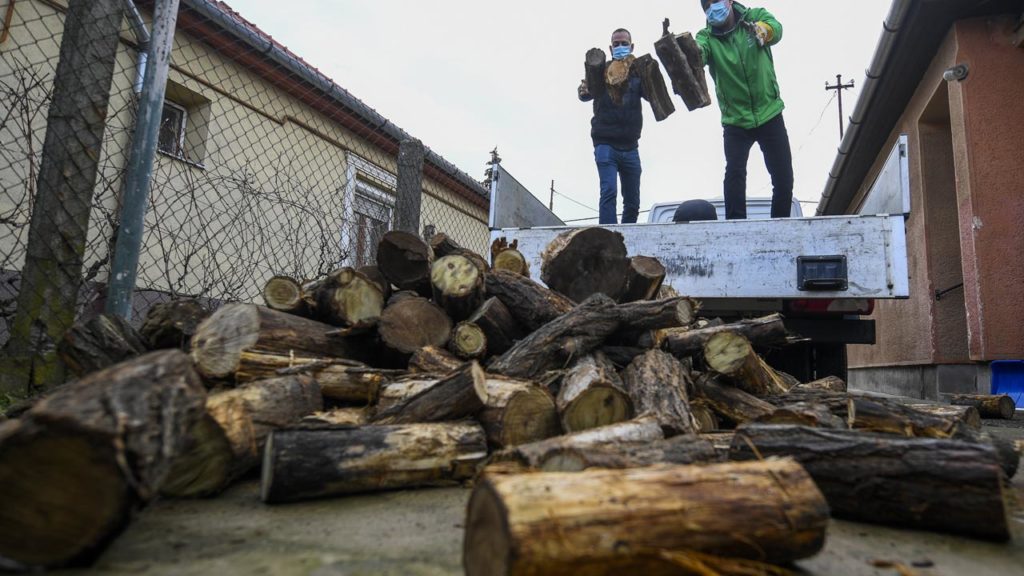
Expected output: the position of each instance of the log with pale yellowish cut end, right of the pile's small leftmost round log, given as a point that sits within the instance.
(350, 300)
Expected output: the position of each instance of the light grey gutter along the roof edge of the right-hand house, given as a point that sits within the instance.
(890, 32)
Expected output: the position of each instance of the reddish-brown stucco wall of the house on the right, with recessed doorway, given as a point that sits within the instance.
(967, 224)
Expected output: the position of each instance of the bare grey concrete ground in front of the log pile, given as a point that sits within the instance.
(419, 533)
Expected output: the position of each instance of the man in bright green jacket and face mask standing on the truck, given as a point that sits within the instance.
(737, 49)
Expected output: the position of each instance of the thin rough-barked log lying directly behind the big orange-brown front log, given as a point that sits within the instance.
(678, 450)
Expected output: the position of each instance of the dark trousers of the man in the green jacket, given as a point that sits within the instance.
(775, 143)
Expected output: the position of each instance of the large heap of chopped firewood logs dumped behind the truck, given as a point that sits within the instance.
(608, 427)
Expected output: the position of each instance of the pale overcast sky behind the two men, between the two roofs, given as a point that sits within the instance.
(466, 76)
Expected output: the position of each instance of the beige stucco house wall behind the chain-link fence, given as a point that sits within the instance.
(272, 193)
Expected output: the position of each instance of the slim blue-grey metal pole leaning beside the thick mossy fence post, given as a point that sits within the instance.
(124, 269)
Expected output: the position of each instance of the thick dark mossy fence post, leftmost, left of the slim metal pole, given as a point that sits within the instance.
(59, 229)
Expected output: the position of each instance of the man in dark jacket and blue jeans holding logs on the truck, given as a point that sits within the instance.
(616, 132)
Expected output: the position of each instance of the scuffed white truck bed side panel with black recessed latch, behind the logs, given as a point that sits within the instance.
(758, 260)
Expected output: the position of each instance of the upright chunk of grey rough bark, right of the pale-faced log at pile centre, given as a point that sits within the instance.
(657, 384)
